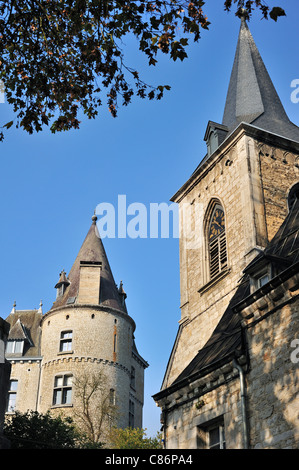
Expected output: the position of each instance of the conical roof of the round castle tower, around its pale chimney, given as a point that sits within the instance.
(92, 251)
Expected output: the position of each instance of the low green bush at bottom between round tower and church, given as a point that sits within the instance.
(134, 438)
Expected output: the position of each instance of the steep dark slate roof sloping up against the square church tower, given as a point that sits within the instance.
(227, 339)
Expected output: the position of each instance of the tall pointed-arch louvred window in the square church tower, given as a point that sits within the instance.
(217, 242)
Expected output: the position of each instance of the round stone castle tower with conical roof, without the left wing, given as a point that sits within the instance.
(87, 334)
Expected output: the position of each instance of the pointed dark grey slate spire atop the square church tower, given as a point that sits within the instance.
(251, 96)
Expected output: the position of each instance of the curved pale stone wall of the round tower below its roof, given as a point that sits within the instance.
(101, 341)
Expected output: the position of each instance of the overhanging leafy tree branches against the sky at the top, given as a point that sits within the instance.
(58, 57)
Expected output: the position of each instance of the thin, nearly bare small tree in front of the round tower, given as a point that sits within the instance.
(95, 412)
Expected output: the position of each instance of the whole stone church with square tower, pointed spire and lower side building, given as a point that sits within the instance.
(224, 385)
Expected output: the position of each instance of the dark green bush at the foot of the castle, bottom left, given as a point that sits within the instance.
(33, 430)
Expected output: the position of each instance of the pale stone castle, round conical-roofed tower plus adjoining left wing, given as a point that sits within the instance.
(87, 332)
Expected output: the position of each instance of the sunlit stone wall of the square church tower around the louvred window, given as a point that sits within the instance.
(228, 180)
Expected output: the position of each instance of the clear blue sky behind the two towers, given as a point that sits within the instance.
(51, 184)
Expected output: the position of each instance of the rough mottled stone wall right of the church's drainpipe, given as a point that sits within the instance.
(273, 381)
